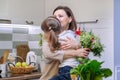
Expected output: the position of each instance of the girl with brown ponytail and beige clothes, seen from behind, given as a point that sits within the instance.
(51, 28)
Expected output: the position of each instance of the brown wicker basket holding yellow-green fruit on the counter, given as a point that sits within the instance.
(21, 70)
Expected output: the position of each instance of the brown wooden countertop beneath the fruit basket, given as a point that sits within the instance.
(33, 75)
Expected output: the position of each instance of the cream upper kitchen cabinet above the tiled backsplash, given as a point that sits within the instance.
(22, 11)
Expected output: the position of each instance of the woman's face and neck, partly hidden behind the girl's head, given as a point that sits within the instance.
(63, 18)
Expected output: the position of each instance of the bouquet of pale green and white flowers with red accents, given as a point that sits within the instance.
(91, 41)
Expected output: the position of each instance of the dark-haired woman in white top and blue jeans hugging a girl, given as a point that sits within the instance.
(68, 23)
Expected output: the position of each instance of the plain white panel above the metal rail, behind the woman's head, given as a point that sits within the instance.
(83, 9)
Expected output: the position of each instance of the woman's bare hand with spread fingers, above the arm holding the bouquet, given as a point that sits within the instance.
(69, 44)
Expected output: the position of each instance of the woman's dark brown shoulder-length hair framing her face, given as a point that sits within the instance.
(69, 13)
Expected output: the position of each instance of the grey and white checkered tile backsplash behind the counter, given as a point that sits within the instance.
(12, 35)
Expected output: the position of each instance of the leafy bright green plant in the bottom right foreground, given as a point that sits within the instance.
(91, 70)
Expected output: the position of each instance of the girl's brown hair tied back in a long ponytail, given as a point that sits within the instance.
(52, 26)
